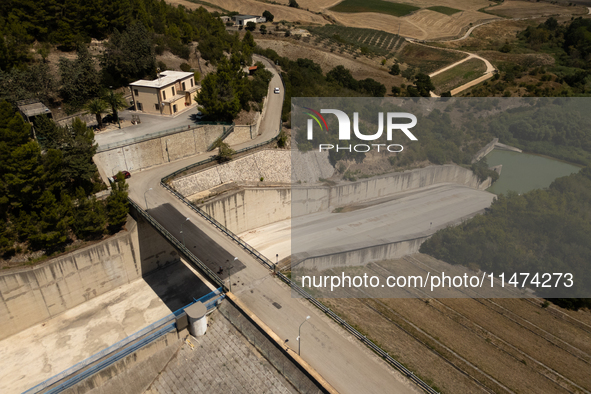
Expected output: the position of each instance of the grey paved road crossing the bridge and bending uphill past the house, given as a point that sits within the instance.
(338, 357)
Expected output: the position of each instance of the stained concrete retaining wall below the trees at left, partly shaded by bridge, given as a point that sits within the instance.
(29, 296)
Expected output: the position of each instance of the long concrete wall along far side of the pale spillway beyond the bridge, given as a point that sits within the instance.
(251, 207)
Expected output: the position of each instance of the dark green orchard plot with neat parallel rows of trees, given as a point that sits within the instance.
(372, 41)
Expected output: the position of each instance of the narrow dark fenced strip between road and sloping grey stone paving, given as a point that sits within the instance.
(267, 347)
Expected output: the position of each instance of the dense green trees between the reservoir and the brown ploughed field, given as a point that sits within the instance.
(539, 231)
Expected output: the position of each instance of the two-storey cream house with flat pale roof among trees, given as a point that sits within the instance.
(172, 92)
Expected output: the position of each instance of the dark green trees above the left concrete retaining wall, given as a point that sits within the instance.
(47, 194)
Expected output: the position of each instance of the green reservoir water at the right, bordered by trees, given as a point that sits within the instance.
(523, 172)
